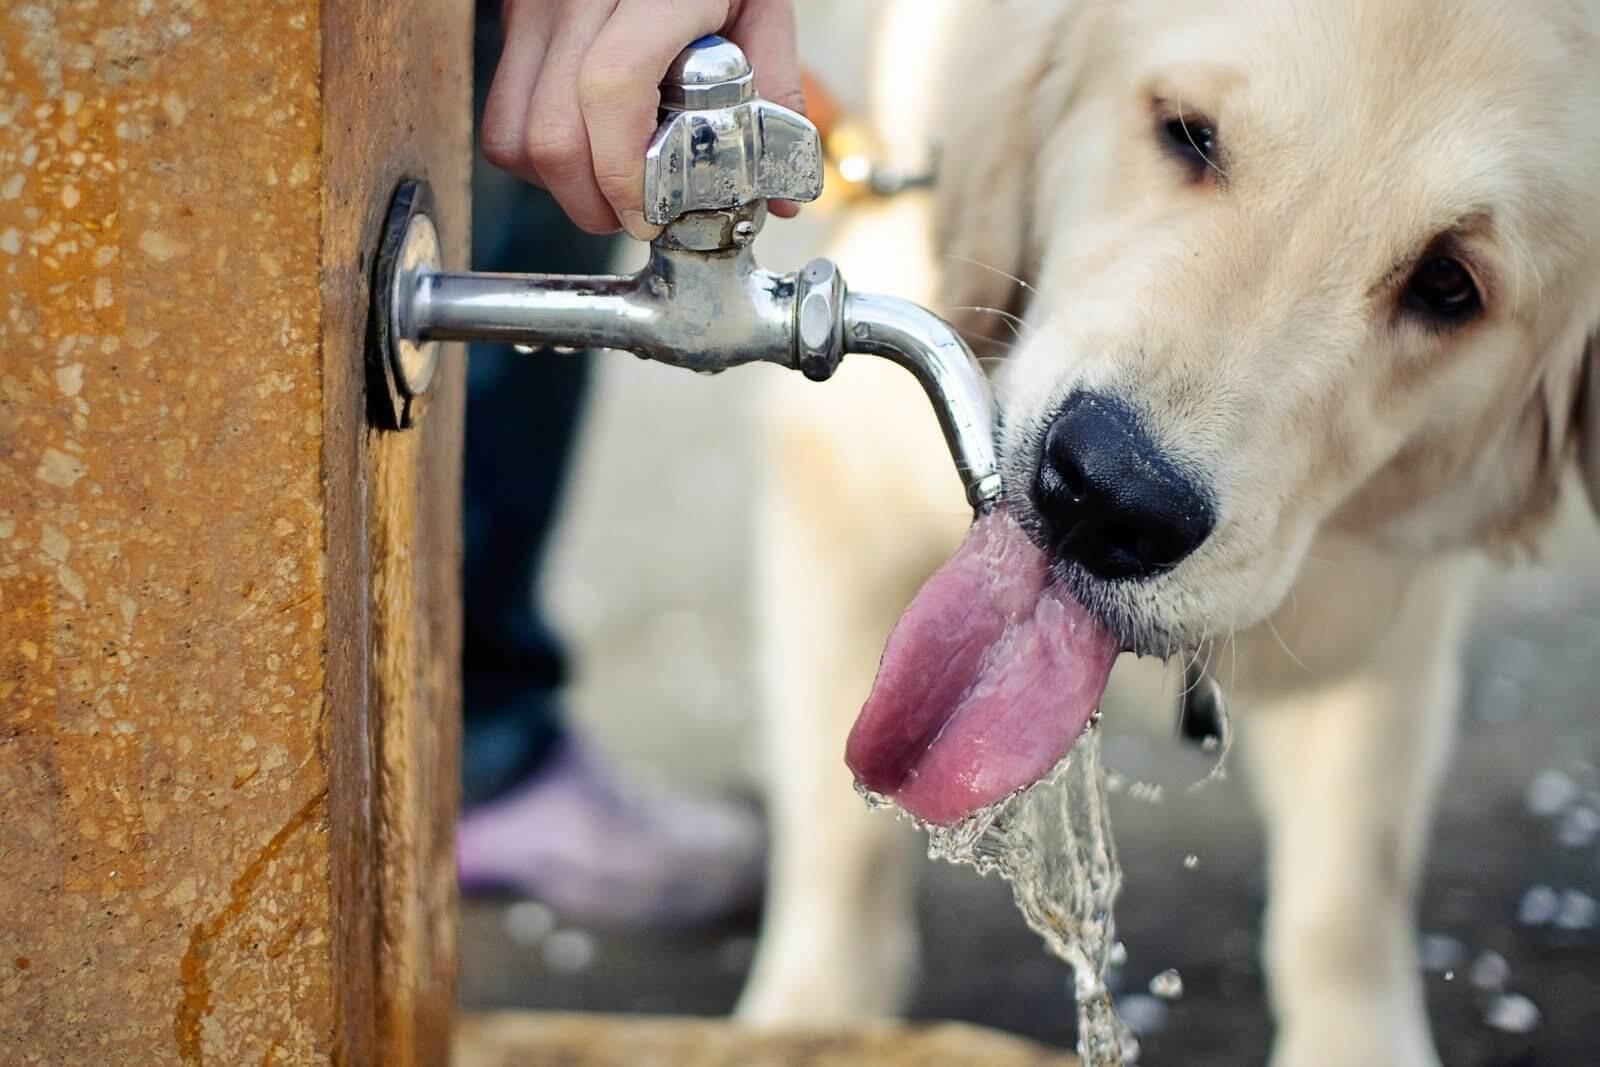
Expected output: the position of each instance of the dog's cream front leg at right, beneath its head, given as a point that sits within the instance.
(1346, 777)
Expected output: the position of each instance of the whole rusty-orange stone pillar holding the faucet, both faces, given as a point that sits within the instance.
(230, 613)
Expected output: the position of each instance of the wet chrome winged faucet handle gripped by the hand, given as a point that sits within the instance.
(721, 146)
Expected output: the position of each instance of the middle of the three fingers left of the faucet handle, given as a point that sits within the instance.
(554, 132)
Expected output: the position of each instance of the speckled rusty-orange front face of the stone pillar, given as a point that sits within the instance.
(161, 537)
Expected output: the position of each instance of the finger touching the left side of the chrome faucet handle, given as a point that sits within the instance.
(634, 52)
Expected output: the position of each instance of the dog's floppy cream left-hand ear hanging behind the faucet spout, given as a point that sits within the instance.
(1002, 73)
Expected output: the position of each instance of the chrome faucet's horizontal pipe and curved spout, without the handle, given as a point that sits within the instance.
(713, 310)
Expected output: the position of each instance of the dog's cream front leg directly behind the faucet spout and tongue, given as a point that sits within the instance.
(849, 529)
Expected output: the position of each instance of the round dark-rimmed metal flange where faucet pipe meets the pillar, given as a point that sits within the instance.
(401, 369)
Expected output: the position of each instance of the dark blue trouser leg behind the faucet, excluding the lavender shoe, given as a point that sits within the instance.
(522, 420)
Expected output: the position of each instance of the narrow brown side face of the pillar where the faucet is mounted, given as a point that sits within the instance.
(404, 111)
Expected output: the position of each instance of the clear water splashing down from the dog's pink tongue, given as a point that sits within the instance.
(1052, 844)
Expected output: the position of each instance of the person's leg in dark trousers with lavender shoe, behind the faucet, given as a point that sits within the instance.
(546, 820)
